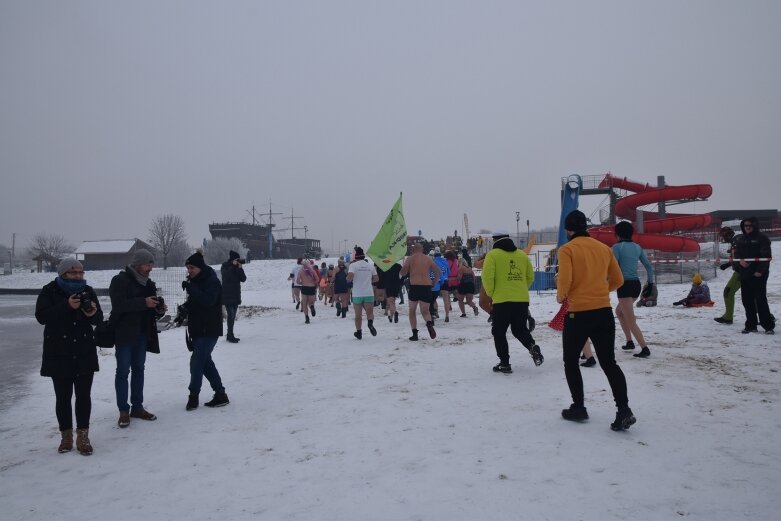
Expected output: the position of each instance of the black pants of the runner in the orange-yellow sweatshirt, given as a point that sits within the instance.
(600, 326)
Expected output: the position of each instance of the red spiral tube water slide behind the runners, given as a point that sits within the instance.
(653, 226)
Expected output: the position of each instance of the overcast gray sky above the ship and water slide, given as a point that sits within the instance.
(112, 113)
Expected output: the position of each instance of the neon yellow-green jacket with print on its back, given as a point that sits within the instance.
(507, 275)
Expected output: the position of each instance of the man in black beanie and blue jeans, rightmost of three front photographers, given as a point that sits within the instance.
(204, 327)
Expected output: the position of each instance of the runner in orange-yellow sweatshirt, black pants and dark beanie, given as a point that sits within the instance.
(588, 272)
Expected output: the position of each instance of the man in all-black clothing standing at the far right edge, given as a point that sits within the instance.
(749, 248)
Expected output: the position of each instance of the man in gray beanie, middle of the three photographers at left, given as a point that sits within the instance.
(134, 310)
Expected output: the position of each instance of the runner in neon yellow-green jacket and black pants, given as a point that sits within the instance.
(507, 276)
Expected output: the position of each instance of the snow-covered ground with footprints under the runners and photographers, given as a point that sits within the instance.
(324, 426)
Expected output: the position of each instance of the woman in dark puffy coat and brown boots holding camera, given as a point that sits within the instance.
(68, 308)
